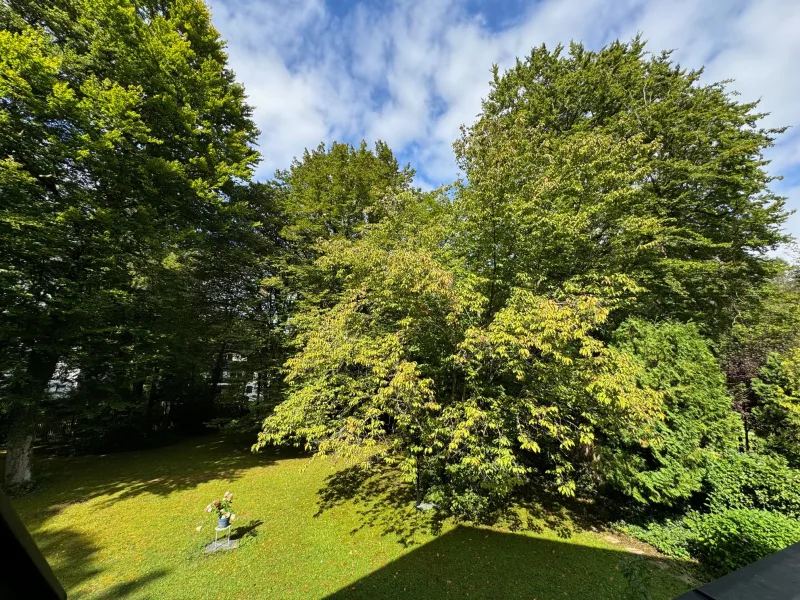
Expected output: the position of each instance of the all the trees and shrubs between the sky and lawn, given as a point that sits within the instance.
(578, 315)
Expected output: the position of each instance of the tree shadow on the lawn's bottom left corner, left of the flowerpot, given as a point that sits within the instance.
(73, 558)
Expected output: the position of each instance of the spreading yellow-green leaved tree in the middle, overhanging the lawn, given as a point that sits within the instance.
(403, 366)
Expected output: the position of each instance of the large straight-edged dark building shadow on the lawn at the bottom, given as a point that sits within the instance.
(471, 562)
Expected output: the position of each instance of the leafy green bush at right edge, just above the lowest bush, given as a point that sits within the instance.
(753, 481)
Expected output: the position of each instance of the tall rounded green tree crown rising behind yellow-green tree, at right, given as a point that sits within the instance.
(586, 163)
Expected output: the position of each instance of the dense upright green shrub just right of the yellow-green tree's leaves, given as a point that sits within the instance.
(698, 422)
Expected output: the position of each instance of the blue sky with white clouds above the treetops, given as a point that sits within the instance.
(411, 72)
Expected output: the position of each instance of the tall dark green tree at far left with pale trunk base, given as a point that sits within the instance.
(123, 133)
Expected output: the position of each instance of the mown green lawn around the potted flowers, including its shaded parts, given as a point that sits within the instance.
(125, 525)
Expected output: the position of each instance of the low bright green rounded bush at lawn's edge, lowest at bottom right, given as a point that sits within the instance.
(729, 540)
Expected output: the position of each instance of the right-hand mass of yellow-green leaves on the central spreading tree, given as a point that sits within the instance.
(569, 387)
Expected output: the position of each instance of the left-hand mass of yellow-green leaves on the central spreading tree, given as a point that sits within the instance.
(357, 378)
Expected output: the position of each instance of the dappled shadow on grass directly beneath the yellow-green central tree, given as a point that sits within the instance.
(383, 502)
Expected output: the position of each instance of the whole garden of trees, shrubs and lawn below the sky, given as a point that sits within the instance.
(570, 371)
